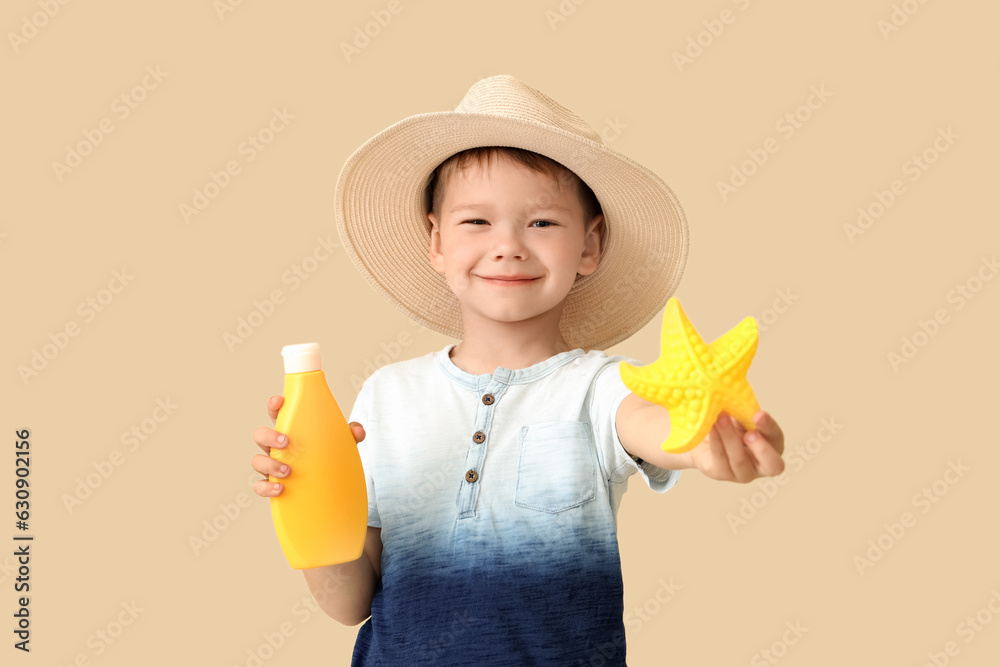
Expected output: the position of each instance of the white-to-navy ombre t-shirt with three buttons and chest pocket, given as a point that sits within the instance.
(497, 496)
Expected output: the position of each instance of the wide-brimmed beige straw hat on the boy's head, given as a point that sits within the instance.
(382, 217)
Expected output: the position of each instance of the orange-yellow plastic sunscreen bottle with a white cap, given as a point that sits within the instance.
(321, 515)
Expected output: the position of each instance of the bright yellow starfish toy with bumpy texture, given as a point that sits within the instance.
(695, 381)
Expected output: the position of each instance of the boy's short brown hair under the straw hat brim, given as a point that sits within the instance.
(536, 162)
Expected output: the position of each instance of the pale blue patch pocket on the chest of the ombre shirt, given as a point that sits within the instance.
(557, 468)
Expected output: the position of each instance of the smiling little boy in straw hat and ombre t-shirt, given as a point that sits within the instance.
(495, 466)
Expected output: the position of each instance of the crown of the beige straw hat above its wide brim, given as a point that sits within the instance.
(505, 96)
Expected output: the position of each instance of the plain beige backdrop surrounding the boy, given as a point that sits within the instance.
(161, 336)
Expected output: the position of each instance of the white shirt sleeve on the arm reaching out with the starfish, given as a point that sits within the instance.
(608, 393)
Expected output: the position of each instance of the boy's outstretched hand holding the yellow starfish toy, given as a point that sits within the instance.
(731, 453)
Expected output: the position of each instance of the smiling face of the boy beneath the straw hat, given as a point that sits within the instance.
(511, 241)
